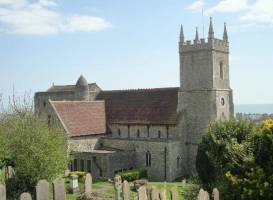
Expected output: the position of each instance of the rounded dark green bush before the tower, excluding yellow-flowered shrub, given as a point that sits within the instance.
(225, 147)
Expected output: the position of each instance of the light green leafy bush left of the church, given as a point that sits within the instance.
(35, 150)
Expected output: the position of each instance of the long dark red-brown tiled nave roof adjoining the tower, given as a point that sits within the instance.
(143, 106)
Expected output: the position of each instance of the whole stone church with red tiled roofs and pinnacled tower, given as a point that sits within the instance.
(154, 129)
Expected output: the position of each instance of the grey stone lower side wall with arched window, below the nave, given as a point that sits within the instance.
(157, 149)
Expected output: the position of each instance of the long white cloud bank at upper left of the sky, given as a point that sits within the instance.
(23, 17)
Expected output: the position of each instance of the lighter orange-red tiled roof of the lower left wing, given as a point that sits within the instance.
(81, 118)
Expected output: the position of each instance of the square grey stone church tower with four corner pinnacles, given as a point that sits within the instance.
(205, 93)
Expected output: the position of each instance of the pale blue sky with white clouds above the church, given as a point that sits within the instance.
(129, 44)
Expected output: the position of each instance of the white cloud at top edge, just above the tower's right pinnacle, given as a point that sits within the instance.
(228, 6)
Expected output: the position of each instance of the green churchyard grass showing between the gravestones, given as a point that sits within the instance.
(106, 189)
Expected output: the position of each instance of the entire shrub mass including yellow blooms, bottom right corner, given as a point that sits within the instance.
(236, 157)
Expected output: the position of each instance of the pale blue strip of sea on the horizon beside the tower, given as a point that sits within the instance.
(254, 108)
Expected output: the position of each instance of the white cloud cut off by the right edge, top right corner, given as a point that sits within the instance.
(260, 12)
